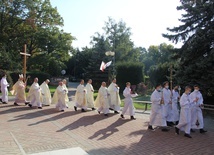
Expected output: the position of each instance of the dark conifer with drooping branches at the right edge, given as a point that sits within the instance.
(197, 54)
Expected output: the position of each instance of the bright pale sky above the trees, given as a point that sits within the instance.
(148, 19)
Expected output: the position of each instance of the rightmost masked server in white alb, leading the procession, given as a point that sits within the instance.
(196, 113)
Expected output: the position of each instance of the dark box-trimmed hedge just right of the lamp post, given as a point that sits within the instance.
(129, 72)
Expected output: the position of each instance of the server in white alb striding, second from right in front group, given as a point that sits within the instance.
(185, 115)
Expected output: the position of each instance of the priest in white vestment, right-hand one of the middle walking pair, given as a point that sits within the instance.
(90, 94)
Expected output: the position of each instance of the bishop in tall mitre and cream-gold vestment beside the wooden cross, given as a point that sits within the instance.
(19, 91)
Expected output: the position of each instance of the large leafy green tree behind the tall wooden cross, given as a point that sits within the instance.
(36, 24)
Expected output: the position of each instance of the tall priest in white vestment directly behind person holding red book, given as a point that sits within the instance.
(114, 97)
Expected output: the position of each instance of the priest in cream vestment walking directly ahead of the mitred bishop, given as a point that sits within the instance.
(34, 95)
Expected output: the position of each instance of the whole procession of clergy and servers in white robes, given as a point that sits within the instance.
(168, 109)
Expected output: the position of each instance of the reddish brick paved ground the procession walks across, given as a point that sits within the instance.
(25, 131)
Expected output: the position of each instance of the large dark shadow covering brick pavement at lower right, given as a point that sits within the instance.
(158, 142)
